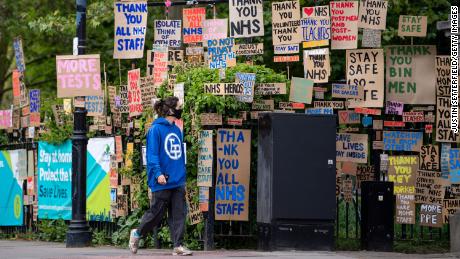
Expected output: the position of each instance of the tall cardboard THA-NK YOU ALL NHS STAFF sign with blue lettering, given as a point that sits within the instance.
(233, 172)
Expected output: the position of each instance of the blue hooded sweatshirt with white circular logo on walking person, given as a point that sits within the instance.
(165, 155)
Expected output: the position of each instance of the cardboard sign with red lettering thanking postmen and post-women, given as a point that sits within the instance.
(344, 27)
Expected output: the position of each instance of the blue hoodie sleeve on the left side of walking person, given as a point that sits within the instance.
(153, 153)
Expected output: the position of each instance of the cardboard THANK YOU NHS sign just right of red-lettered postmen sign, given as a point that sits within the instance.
(373, 14)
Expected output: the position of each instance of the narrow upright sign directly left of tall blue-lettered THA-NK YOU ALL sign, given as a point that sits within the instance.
(205, 158)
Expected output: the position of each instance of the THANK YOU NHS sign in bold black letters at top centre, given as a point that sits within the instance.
(246, 18)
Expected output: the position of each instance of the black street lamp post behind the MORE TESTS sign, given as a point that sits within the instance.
(78, 234)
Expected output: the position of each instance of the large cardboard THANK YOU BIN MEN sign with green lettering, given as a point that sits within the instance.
(410, 74)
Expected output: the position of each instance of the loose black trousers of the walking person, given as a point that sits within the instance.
(174, 200)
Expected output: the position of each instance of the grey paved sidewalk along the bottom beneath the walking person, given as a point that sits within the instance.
(30, 249)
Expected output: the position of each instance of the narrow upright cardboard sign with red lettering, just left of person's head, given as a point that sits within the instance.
(134, 93)
